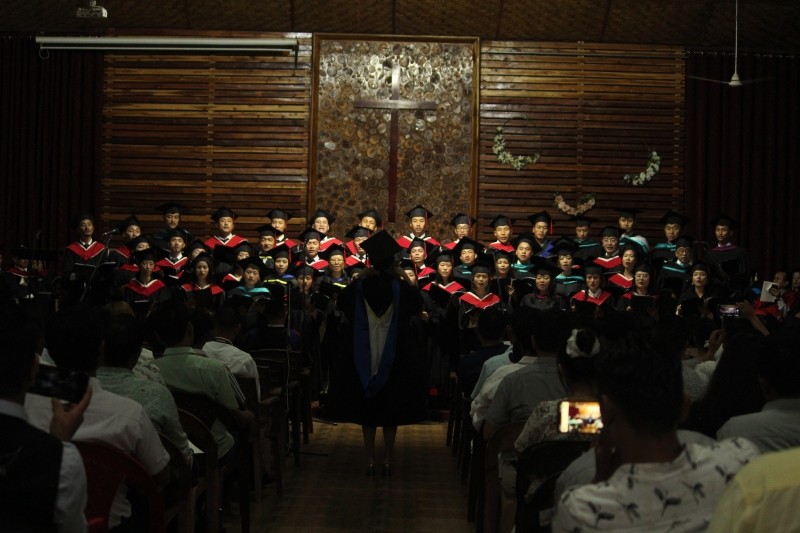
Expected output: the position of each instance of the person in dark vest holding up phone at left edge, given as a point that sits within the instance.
(43, 483)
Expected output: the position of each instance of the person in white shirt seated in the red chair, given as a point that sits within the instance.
(74, 339)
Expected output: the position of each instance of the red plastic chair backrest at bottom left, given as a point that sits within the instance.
(106, 469)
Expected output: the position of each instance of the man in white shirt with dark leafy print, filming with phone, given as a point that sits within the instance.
(646, 480)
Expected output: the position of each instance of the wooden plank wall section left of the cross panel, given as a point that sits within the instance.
(207, 130)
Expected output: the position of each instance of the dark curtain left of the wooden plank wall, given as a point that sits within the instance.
(50, 141)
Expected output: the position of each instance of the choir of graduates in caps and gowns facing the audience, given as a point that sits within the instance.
(594, 269)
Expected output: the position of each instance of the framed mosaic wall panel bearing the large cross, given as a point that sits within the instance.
(424, 92)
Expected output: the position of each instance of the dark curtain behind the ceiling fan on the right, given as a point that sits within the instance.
(741, 153)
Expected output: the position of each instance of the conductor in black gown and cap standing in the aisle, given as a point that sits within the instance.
(379, 378)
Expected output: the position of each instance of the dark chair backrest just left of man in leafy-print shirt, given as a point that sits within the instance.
(542, 463)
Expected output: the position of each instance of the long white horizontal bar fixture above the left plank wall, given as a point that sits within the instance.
(166, 44)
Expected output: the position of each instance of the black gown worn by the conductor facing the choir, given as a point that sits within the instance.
(402, 399)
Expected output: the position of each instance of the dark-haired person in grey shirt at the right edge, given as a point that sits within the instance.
(777, 425)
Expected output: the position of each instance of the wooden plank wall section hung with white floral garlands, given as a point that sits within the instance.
(591, 111)
